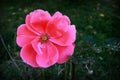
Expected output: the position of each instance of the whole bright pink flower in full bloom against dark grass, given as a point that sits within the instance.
(46, 39)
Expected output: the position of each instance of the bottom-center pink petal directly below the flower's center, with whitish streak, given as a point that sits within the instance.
(47, 54)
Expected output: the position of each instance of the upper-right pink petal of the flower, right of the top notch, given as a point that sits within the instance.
(57, 25)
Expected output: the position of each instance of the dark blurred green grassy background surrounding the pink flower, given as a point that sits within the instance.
(97, 52)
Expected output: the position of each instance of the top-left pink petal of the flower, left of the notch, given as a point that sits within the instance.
(38, 20)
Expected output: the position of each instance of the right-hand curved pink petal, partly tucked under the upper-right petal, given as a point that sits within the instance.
(67, 38)
